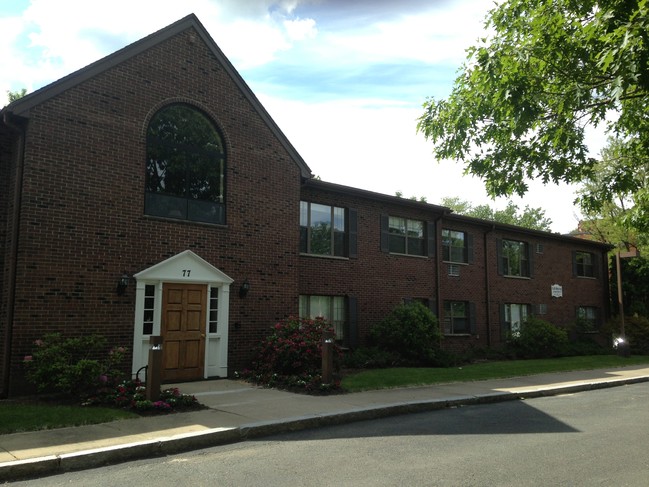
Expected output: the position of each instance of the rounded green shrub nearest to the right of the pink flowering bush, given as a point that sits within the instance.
(411, 331)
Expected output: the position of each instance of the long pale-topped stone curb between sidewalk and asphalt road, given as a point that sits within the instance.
(159, 447)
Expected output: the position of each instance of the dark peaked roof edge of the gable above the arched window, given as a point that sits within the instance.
(22, 106)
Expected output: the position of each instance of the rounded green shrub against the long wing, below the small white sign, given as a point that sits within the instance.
(538, 339)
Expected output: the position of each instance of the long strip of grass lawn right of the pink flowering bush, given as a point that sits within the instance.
(401, 377)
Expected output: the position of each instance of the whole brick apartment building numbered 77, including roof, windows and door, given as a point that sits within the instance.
(150, 193)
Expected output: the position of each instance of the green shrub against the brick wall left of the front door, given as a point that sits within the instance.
(73, 366)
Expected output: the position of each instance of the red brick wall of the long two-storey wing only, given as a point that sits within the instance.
(380, 281)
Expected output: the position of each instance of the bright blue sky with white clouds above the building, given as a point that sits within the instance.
(345, 80)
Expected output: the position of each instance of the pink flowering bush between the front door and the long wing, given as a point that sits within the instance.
(291, 357)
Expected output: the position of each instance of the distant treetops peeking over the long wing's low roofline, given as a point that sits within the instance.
(533, 218)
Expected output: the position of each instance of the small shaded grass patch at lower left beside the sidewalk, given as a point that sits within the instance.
(31, 416)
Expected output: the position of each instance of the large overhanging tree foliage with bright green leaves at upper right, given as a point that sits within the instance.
(522, 101)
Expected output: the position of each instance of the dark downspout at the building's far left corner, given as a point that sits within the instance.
(17, 124)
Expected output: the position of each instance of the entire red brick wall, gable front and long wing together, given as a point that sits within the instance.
(82, 221)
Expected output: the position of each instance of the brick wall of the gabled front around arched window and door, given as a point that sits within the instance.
(83, 221)
